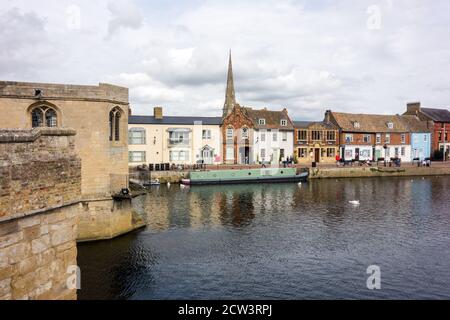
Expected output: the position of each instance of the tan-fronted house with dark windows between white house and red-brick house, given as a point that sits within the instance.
(316, 142)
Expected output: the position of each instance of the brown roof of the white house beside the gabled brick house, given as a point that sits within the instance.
(273, 118)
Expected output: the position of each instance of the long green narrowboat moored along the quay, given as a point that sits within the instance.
(269, 175)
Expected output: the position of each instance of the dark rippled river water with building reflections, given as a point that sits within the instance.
(280, 241)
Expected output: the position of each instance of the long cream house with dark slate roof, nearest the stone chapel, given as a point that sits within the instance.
(176, 140)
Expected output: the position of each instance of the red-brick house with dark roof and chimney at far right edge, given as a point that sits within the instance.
(440, 120)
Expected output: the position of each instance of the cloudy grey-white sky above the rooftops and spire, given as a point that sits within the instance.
(308, 56)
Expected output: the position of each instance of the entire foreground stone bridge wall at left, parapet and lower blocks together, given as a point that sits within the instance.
(40, 191)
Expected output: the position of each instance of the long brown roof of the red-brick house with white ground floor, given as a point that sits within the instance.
(369, 123)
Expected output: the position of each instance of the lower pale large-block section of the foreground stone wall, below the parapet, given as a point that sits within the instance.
(35, 254)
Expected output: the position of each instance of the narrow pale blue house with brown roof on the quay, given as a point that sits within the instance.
(420, 137)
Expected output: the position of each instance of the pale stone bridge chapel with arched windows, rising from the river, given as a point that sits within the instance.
(99, 114)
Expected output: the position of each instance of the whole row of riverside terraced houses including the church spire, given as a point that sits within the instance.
(244, 135)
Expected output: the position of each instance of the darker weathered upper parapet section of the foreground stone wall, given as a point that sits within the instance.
(40, 174)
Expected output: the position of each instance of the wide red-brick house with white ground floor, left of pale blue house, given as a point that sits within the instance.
(371, 137)
